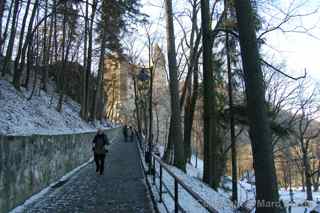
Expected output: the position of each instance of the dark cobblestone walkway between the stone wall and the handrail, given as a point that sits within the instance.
(120, 189)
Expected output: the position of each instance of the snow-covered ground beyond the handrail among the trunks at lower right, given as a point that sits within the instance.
(246, 191)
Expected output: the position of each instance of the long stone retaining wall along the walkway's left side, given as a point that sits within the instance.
(30, 163)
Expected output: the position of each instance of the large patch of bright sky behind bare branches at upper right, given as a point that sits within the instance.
(299, 51)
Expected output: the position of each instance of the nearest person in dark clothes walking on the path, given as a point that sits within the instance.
(99, 143)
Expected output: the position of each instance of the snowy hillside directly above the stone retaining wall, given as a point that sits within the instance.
(19, 116)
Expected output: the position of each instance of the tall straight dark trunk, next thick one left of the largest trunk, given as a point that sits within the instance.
(211, 148)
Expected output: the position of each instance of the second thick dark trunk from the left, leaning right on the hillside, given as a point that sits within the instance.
(17, 73)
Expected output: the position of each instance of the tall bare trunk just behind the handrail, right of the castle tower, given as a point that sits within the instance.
(176, 134)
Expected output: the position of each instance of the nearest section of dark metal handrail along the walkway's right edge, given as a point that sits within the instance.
(177, 182)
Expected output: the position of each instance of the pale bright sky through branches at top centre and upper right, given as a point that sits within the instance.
(297, 50)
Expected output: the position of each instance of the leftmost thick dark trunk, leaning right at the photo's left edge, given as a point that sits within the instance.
(9, 51)
